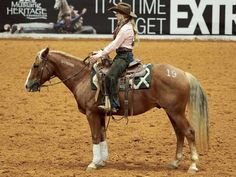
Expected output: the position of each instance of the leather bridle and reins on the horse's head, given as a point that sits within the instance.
(44, 65)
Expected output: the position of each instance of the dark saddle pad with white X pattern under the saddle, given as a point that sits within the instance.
(136, 83)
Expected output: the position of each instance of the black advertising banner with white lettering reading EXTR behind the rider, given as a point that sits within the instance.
(154, 17)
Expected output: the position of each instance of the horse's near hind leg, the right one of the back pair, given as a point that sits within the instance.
(185, 128)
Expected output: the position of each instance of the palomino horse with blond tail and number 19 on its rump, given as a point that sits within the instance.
(172, 89)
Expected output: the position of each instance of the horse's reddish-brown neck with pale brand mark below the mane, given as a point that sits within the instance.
(66, 67)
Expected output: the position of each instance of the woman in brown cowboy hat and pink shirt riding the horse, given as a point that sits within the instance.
(124, 37)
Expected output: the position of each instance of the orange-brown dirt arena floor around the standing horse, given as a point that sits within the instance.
(44, 135)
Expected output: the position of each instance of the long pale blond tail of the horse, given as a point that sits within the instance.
(198, 112)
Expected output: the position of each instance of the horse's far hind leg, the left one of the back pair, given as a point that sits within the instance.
(179, 148)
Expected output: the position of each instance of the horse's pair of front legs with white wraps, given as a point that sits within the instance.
(100, 152)
